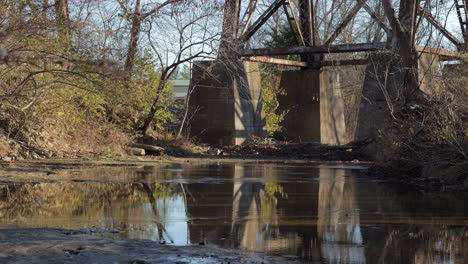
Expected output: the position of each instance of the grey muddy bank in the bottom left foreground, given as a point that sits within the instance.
(66, 246)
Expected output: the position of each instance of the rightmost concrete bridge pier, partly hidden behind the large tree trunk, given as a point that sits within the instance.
(382, 85)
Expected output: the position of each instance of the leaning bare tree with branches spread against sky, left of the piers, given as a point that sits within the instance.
(192, 27)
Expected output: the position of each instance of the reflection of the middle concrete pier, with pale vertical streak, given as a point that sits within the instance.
(333, 233)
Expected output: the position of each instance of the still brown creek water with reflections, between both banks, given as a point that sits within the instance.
(321, 214)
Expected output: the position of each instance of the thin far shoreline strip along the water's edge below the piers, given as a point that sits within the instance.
(420, 184)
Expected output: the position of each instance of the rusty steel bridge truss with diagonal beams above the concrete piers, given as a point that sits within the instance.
(306, 29)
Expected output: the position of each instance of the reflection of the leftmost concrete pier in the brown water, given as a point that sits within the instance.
(249, 209)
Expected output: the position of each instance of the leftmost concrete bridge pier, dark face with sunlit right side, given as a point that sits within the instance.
(226, 102)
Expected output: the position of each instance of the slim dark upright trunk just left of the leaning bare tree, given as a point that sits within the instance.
(134, 37)
